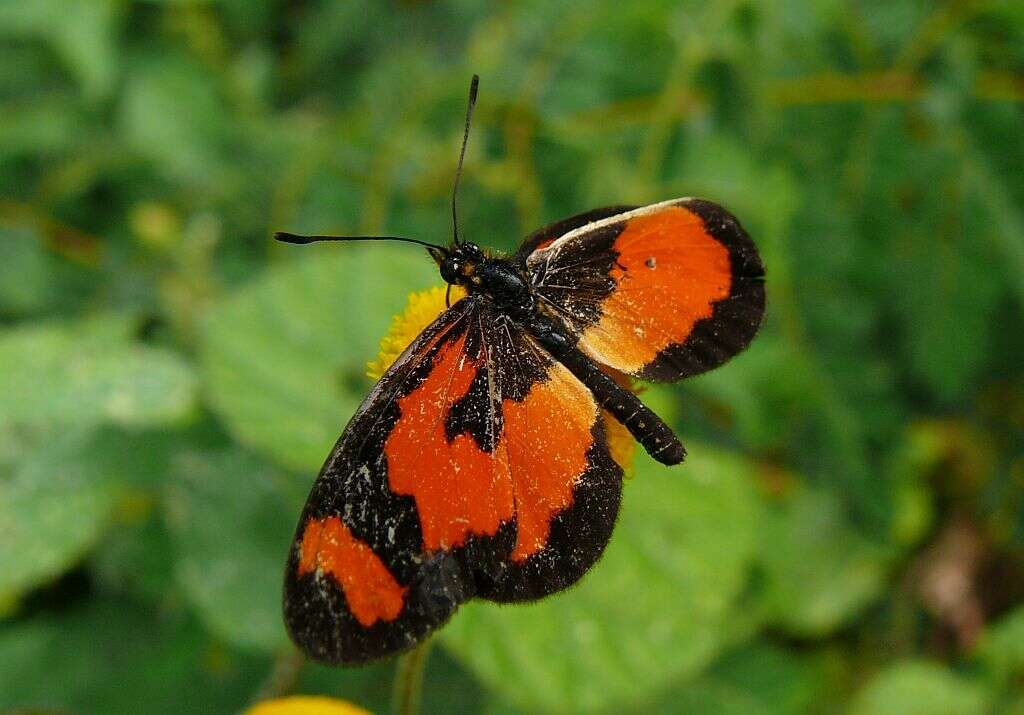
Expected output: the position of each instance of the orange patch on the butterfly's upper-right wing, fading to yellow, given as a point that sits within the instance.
(669, 275)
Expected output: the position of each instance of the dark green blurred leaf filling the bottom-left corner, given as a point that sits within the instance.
(117, 657)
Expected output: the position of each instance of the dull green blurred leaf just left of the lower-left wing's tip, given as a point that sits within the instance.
(232, 521)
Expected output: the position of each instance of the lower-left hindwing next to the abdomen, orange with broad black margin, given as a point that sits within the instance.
(568, 488)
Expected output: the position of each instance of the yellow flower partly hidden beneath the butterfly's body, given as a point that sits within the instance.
(423, 308)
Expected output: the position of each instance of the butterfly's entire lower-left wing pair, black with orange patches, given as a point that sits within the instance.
(447, 485)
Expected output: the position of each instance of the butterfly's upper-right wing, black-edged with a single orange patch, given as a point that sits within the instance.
(661, 292)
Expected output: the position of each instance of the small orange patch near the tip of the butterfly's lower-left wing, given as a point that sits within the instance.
(372, 593)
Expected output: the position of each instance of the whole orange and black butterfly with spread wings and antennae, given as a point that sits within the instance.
(479, 466)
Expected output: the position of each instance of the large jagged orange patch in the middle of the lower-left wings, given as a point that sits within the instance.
(463, 491)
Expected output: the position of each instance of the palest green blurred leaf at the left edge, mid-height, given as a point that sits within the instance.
(83, 374)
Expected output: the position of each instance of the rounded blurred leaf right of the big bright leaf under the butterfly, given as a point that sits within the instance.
(820, 571)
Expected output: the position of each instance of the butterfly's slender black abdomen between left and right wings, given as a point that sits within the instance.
(647, 428)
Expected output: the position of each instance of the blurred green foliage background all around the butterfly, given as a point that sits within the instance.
(848, 534)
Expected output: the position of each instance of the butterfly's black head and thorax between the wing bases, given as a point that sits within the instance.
(496, 278)
